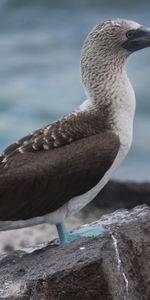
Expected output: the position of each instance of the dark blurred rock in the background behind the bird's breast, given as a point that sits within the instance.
(122, 194)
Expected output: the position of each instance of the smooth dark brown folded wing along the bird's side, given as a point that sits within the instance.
(34, 184)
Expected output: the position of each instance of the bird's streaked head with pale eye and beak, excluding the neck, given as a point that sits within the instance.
(119, 37)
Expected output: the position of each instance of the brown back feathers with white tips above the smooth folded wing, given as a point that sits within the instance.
(62, 132)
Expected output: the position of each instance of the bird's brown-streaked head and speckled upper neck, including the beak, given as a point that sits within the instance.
(107, 46)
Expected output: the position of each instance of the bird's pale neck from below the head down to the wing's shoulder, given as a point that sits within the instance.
(107, 86)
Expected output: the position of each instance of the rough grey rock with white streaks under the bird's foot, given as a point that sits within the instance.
(115, 266)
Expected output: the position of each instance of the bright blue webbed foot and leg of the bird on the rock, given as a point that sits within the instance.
(65, 237)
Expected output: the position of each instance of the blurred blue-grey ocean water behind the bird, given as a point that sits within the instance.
(40, 42)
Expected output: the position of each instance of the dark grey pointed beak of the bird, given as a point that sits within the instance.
(140, 39)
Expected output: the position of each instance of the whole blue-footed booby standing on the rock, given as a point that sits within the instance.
(58, 169)
